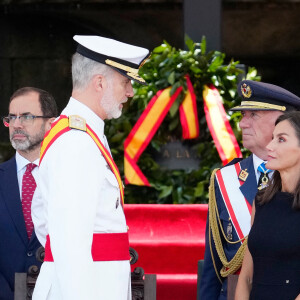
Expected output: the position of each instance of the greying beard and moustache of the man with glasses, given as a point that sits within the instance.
(30, 143)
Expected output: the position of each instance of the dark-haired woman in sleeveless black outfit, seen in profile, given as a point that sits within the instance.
(271, 266)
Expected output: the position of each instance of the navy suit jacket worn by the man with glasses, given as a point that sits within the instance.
(17, 253)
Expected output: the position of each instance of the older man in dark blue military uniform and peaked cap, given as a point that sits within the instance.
(233, 188)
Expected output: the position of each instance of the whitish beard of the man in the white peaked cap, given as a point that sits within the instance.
(110, 105)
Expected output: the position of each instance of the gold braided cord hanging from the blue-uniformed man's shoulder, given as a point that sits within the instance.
(229, 267)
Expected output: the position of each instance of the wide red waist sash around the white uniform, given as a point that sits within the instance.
(105, 247)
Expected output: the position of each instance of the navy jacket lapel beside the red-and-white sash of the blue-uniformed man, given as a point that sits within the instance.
(249, 187)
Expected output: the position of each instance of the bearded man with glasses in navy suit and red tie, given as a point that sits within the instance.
(31, 112)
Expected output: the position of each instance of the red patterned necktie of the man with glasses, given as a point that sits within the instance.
(28, 188)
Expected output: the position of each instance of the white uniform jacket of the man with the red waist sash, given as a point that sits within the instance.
(78, 195)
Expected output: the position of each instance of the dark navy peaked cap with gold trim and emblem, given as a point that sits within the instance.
(265, 96)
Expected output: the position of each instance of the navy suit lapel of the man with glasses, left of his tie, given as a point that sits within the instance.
(10, 188)
